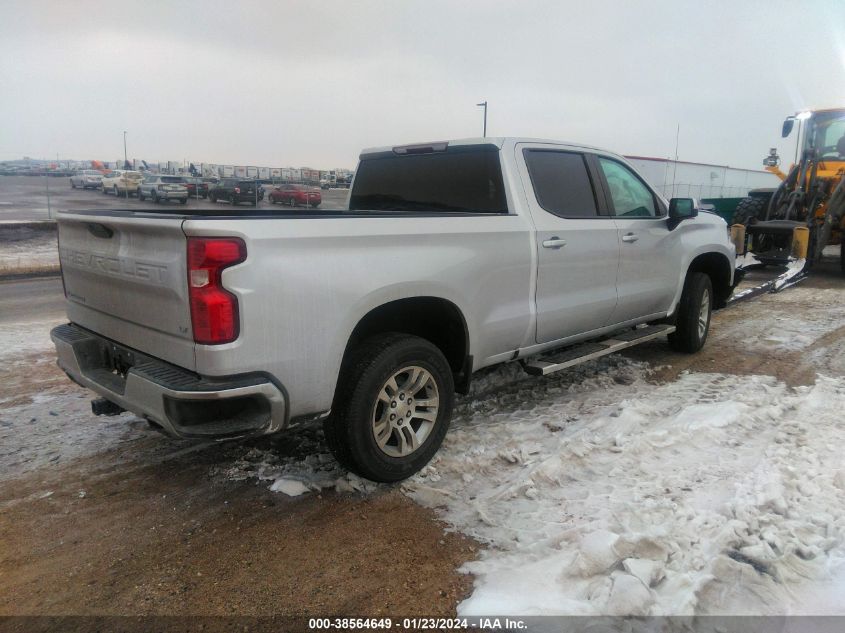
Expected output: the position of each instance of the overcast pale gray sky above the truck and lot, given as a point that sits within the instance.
(311, 83)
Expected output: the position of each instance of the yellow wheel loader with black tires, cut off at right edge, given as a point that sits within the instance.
(791, 225)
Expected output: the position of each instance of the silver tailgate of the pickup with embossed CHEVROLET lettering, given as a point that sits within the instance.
(125, 278)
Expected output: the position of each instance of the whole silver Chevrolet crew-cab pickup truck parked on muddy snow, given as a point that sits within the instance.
(449, 257)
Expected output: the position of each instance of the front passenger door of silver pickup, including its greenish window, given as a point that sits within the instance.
(649, 252)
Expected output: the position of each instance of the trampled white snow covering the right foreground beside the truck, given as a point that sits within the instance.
(603, 494)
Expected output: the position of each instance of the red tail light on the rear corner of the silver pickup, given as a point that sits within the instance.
(214, 310)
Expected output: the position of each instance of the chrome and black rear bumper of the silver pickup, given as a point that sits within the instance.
(184, 404)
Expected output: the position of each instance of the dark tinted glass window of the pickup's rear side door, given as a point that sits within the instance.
(561, 183)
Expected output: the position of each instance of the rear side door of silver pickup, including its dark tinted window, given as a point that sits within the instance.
(577, 246)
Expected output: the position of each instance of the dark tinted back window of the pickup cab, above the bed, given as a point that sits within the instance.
(456, 180)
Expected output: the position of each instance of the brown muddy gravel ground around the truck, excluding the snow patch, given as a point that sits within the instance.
(103, 516)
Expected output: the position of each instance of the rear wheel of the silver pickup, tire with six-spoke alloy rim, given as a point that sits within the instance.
(351, 429)
